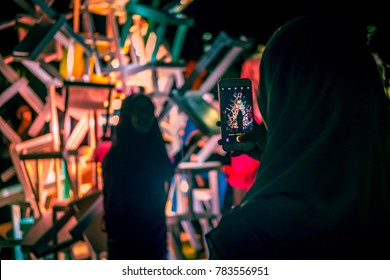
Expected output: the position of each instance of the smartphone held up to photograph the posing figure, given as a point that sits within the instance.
(236, 112)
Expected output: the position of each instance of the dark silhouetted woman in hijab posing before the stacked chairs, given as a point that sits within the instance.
(135, 172)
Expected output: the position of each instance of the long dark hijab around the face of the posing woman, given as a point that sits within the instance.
(135, 171)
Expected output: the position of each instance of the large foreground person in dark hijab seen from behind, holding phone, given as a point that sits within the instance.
(323, 188)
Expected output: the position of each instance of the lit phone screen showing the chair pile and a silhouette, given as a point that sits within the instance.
(237, 112)
